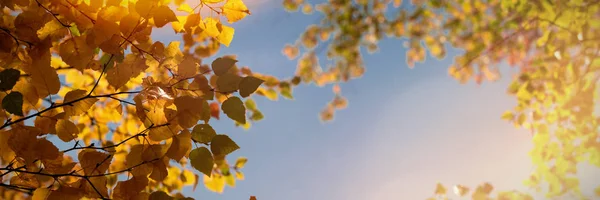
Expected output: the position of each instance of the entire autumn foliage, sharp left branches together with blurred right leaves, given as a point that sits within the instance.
(137, 112)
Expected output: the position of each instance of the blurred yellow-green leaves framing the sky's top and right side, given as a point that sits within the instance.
(554, 44)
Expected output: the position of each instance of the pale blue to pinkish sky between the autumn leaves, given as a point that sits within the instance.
(404, 130)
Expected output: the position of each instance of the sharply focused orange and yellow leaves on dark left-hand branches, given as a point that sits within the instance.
(88, 74)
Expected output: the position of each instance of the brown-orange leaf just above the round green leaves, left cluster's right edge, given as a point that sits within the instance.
(189, 110)
